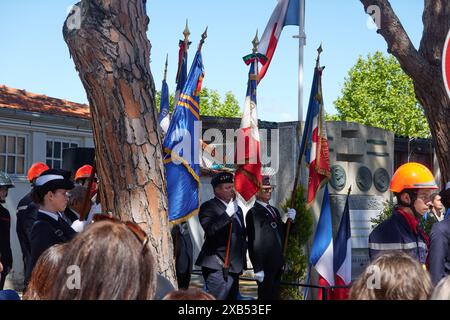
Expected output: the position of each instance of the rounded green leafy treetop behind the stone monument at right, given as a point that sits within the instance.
(378, 93)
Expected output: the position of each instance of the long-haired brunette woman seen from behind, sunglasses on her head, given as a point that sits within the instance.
(112, 260)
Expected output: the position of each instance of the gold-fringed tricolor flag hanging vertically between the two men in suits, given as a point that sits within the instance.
(248, 177)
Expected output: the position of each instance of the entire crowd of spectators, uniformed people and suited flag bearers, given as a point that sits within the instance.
(69, 254)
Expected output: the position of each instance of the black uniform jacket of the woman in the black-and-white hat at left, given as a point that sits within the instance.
(45, 233)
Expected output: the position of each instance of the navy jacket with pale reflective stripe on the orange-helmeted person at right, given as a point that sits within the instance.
(395, 234)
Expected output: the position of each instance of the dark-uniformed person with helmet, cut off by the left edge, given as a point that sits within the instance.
(5, 225)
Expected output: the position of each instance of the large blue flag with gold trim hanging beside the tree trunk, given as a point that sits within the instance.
(181, 148)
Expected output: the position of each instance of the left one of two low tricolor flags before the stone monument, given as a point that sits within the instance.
(322, 253)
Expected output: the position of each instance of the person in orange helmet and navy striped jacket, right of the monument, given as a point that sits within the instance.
(412, 185)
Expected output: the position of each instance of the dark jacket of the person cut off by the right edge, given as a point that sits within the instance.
(439, 256)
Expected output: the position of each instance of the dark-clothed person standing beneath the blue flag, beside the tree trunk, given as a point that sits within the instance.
(183, 254)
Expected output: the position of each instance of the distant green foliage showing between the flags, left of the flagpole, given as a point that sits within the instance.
(211, 104)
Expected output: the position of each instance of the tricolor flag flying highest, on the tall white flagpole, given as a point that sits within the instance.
(286, 13)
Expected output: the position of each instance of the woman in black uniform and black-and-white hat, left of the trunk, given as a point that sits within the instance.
(50, 195)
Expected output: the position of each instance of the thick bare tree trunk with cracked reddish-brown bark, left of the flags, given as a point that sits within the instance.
(108, 42)
